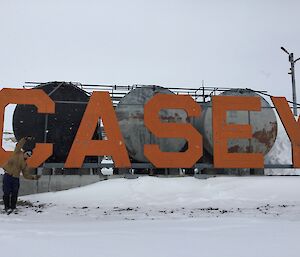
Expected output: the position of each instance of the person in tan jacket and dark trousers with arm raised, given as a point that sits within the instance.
(13, 167)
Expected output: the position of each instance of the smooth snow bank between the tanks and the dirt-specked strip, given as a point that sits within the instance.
(188, 192)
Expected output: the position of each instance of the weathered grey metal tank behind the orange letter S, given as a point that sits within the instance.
(130, 114)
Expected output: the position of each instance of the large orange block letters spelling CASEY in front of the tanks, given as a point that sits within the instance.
(100, 106)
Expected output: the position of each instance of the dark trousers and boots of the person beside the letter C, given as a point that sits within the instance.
(10, 191)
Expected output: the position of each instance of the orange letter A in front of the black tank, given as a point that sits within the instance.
(99, 106)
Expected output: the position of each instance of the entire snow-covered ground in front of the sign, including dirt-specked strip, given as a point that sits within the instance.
(149, 216)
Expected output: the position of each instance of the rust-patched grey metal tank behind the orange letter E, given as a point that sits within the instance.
(263, 124)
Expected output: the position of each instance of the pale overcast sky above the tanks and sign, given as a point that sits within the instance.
(170, 43)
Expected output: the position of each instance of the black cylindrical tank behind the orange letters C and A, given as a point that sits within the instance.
(59, 128)
